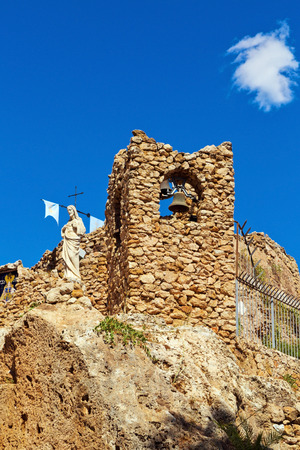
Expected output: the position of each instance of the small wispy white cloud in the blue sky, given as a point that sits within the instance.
(266, 67)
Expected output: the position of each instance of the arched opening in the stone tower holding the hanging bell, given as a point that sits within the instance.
(181, 191)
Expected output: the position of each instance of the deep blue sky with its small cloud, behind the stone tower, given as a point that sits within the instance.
(77, 77)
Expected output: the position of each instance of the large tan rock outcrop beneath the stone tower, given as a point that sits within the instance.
(64, 387)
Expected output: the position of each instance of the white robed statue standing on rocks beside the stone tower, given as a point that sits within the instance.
(72, 233)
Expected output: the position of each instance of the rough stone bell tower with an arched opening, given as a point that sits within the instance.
(179, 267)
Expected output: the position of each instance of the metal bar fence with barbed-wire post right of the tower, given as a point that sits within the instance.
(264, 313)
